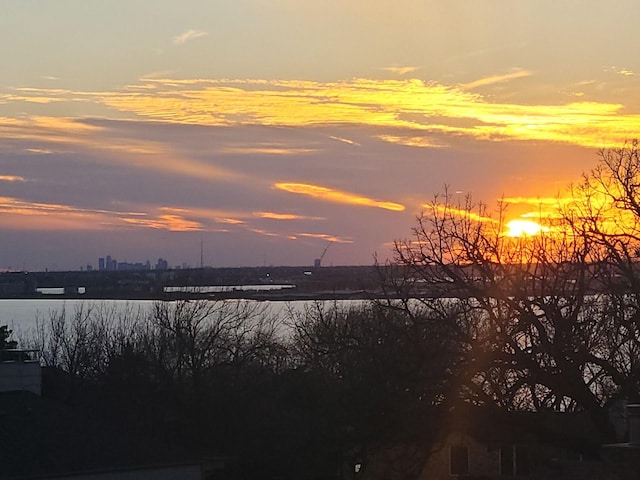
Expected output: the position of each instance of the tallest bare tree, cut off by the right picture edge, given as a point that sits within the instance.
(607, 208)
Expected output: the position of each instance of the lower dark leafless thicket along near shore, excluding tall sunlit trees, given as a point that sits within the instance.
(304, 396)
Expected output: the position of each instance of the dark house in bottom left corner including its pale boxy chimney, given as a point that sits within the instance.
(42, 436)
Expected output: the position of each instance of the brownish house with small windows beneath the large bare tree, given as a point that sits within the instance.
(484, 444)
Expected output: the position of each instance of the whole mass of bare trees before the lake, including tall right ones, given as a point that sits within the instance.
(546, 324)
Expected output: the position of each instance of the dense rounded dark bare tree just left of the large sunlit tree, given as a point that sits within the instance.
(381, 376)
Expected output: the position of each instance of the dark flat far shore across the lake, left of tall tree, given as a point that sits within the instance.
(250, 283)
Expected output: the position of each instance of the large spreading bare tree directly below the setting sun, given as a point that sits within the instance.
(522, 307)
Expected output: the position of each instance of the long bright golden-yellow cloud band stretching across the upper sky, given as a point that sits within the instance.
(411, 104)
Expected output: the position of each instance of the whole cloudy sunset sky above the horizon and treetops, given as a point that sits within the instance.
(269, 129)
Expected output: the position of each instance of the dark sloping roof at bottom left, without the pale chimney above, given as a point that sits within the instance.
(45, 438)
